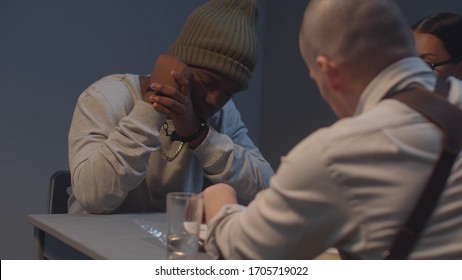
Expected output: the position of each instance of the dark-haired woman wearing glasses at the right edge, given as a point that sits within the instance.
(438, 40)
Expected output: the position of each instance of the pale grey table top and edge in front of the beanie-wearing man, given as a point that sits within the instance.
(114, 236)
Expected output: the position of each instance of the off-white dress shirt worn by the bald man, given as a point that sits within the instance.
(351, 185)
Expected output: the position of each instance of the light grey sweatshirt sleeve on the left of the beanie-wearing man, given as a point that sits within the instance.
(110, 140)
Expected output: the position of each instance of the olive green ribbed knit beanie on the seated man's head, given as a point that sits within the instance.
(221, 36)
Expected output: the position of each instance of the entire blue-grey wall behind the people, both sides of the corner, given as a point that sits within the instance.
(50, 51)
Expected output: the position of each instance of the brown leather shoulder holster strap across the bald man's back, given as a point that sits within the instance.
(448, 118)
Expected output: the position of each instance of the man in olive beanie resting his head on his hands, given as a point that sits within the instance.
(135, 138)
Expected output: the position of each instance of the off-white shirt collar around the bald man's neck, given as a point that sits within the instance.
(395, 77)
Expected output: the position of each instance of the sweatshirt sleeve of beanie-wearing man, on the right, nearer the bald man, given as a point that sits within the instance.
(228, 155)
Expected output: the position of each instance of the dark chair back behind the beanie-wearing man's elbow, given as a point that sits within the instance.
(60, 184)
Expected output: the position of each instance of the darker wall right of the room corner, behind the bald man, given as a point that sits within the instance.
(291, 105)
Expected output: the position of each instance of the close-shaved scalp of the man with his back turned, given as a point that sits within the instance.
(363, 35)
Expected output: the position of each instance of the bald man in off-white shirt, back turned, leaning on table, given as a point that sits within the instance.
(351, 185)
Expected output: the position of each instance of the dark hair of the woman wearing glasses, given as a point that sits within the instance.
(447, 27)
